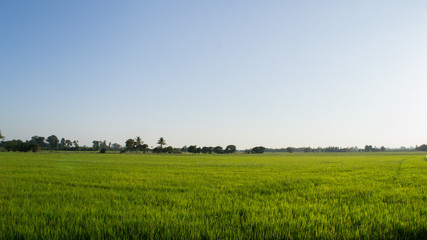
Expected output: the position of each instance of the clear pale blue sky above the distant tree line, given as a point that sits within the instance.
(271, 73)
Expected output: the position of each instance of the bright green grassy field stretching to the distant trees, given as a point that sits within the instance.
(269, 196)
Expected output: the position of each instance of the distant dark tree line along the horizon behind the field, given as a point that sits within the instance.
(37, 143)
